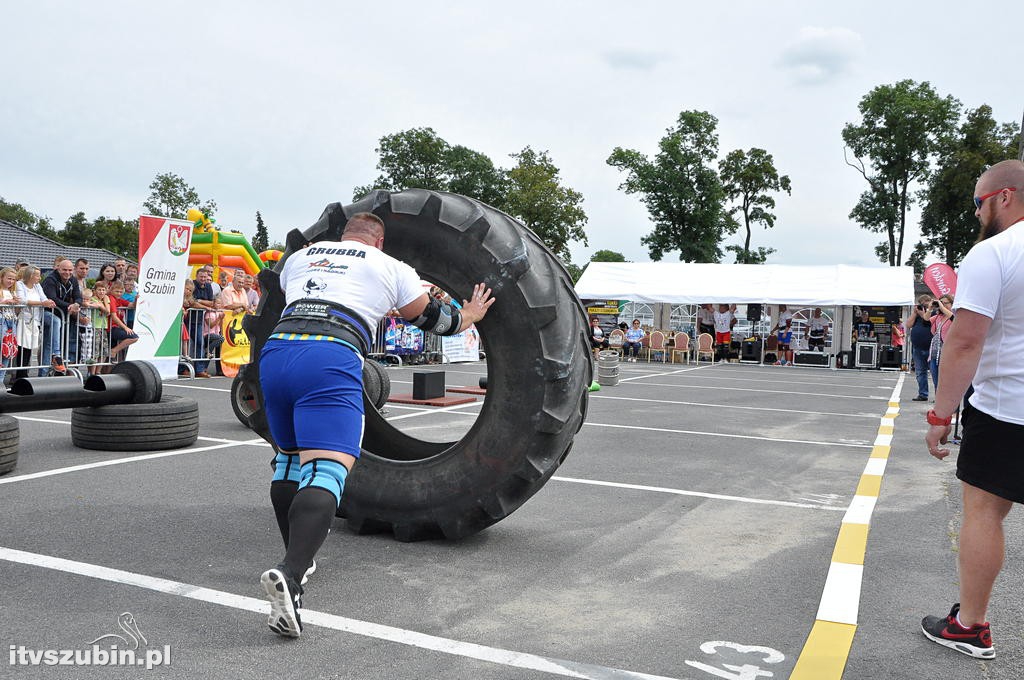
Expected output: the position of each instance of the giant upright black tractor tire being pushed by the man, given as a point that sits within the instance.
(538, 364)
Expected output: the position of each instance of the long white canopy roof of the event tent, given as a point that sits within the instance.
(681, 283)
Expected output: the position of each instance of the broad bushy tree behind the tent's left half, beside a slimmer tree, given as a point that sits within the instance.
(682, 192)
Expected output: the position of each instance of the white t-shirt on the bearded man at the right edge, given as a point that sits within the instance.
(990, 283)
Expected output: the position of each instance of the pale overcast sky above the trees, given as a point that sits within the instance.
(279, 108)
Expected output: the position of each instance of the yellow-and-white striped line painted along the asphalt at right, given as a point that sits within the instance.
(828, 647)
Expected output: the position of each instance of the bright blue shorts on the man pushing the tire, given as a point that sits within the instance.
(313, 395)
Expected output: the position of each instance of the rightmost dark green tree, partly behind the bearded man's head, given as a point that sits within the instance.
(949, 227)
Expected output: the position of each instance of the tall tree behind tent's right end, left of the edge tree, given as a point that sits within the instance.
(903, 127)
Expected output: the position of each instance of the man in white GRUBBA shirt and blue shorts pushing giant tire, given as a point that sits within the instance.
(312, 377)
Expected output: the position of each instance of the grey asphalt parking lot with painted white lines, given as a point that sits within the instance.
(689, 535)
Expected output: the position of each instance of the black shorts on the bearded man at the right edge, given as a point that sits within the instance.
(992, 456)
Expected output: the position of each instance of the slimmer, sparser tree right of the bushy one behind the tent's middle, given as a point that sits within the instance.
(749, 179)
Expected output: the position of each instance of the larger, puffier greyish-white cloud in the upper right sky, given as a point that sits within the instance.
(821, 55)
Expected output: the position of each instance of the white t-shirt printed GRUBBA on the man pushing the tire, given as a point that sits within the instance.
(360, 277)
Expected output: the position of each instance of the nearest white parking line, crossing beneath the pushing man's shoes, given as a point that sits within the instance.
(334, 622)
